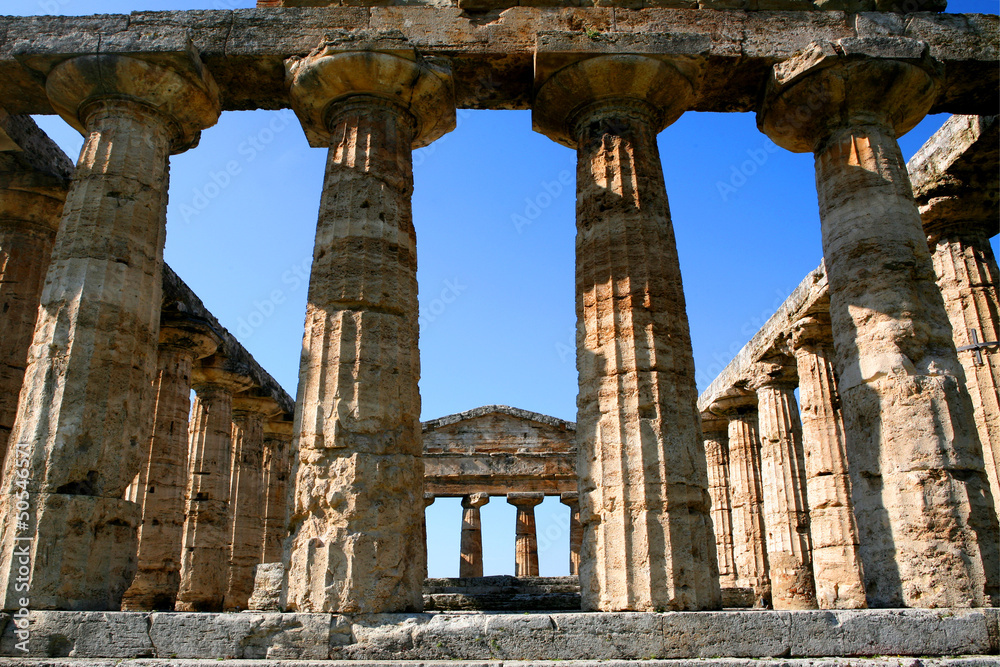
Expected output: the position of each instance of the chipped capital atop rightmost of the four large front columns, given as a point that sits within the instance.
(886, 81)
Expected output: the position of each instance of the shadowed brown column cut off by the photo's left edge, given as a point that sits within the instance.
(28, 223)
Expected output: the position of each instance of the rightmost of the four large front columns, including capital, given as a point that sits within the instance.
(926, 525)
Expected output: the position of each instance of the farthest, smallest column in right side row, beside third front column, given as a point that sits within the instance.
(716, 433)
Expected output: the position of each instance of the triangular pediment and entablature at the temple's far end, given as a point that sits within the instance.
(497, 450)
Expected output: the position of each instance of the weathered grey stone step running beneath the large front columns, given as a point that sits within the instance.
(509, 636)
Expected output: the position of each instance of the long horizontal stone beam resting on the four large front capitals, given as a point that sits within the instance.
(492, 54)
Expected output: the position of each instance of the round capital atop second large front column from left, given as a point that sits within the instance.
(421, 86)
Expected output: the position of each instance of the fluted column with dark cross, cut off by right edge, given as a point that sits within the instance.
(969, 280)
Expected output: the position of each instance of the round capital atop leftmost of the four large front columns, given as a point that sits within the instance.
(176, 86)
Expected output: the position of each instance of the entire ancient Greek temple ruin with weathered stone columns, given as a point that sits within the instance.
(859, 517)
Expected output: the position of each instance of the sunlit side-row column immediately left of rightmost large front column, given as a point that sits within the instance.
(836, 565)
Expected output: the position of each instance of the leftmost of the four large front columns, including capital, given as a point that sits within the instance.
(87, 396)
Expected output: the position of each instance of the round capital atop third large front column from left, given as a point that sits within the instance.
(657, 89)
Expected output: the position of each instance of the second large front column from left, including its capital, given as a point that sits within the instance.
(355, 527)
